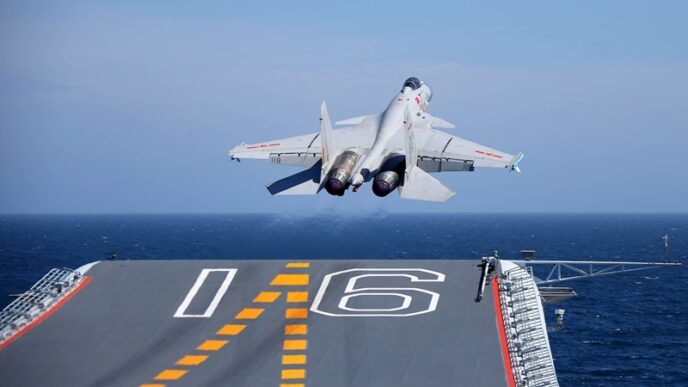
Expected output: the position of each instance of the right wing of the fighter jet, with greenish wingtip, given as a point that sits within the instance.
(441, 152)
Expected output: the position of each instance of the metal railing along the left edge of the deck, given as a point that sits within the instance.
(31, 304)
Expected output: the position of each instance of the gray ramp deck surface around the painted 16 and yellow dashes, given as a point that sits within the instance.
(119, 329)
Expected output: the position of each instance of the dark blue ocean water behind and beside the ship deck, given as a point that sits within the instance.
(628, 329)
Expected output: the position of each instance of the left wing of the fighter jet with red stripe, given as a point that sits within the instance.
(294, 151)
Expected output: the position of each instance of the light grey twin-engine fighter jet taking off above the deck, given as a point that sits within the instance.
(395, 149)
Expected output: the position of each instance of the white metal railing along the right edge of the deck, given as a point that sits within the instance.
(526, 333)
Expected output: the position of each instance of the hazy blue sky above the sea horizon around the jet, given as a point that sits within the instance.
(124, 107)
